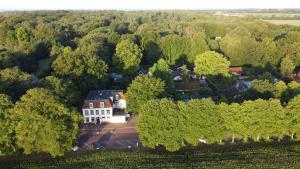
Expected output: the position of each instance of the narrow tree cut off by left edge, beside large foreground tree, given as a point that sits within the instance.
(7, 139)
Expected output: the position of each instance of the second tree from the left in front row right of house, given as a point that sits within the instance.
(202, 121)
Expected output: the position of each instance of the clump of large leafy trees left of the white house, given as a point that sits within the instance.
(38, 122)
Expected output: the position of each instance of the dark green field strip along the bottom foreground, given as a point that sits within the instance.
(271, 155)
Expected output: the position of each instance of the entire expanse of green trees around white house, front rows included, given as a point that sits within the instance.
(49, 60)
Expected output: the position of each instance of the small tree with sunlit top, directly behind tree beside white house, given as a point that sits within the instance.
(161, 70)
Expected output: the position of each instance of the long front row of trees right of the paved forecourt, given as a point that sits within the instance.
(175, 125)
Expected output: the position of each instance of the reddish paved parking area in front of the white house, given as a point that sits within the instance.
(109, 136)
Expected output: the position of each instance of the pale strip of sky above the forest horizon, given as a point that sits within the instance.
(144, 4)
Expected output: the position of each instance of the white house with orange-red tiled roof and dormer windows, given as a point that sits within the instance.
(104, 106)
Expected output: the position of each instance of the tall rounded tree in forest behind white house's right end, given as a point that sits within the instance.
(127, 57)
